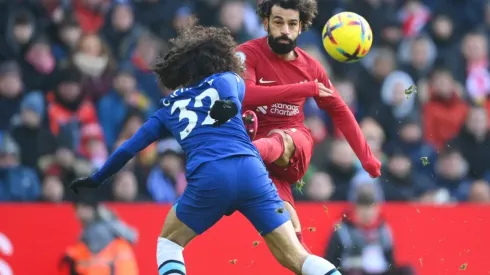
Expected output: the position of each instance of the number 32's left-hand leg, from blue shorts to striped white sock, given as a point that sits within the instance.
(205, 200)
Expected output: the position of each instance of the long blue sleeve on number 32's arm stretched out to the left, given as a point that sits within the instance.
(149, 132)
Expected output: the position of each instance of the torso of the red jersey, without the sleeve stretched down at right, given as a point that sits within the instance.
(286, 85)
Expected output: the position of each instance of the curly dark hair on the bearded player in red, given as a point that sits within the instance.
(307, 9)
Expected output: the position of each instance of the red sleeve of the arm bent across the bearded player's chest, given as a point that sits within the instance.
(261, 95)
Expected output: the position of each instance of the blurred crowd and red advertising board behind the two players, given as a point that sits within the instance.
(74, 83)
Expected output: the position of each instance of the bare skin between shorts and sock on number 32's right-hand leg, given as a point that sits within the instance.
(286, 247)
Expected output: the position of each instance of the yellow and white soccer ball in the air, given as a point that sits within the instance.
(347, 37)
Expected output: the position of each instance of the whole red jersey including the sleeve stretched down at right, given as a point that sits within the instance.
(277, 89)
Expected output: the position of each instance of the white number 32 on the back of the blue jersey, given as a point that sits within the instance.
(191, 116)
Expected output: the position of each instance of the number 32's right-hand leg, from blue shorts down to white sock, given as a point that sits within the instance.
(260, 203)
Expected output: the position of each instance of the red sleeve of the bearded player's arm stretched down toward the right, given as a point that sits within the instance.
(344, 120)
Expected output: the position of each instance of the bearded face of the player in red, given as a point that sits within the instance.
(283, 28)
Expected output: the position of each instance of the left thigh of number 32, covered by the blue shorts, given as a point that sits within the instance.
(209, 195)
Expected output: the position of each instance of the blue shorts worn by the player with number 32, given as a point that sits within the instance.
(224, 186)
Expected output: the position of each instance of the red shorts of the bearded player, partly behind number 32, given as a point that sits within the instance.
(285, 177)
